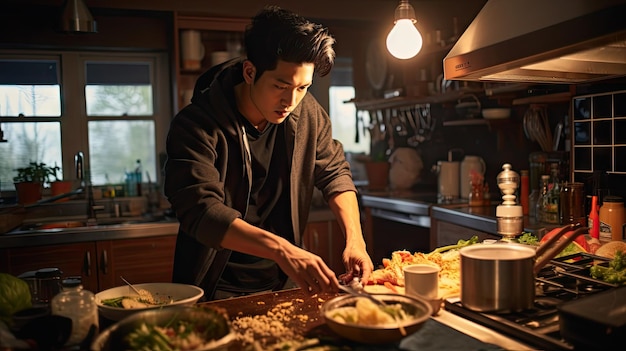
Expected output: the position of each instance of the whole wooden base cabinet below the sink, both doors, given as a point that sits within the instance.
(99, 264)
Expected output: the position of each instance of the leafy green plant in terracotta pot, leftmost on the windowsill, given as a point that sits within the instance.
(30, 180)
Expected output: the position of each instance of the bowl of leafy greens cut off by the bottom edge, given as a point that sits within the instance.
(178, 328)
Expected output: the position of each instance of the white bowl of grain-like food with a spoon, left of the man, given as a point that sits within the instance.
(120, 302)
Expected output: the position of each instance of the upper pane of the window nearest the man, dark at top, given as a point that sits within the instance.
(118, 89)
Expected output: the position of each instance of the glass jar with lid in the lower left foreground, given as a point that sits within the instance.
(80, 306)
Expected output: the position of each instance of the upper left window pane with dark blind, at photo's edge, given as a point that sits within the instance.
(29, 88)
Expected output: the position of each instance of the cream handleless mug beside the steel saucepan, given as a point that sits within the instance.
(421, 280)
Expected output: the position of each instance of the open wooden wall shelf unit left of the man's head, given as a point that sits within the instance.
(217, 35)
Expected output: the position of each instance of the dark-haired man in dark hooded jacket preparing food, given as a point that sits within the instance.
(243, 159)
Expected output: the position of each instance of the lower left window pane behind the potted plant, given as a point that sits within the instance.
(28, 142)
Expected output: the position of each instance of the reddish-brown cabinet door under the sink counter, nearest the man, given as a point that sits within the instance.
(142, 260)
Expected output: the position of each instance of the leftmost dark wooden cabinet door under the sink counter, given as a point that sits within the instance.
(77, 259)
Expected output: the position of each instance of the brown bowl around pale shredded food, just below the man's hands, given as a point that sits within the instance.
(419, 310)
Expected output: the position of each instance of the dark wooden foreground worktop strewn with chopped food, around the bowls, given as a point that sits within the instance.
(442, 332)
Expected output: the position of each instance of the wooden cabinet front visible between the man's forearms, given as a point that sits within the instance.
(325, 239)
